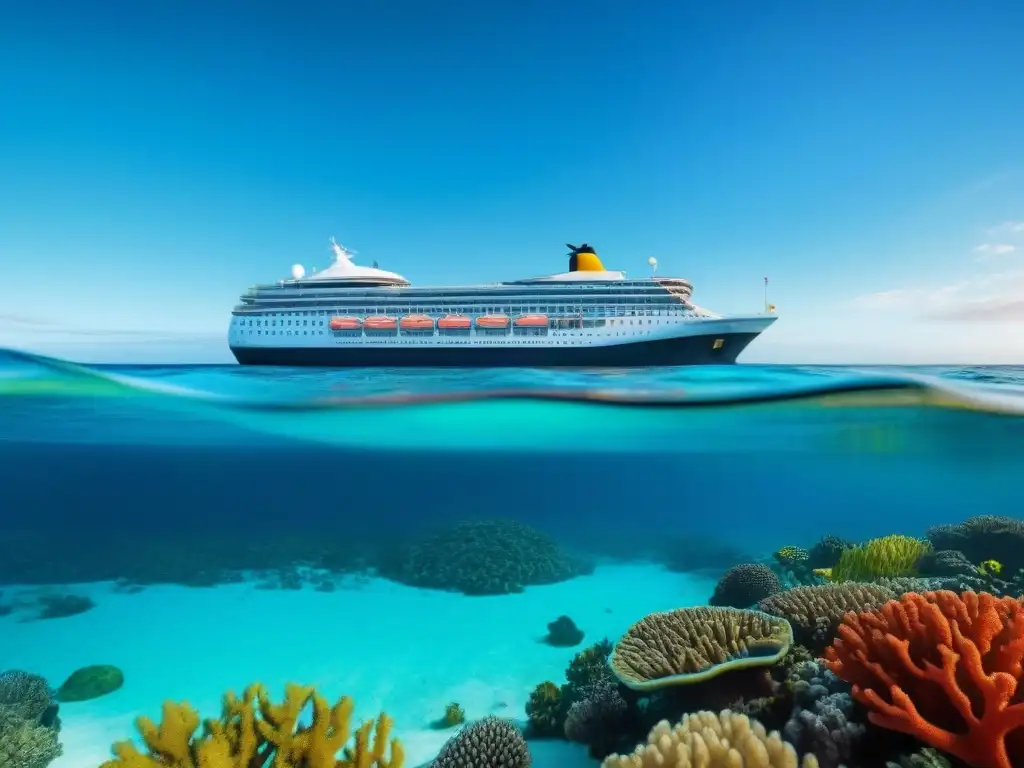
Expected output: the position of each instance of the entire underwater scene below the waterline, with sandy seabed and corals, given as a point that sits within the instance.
(217, 567)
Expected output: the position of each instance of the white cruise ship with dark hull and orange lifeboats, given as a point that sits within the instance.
(353, 316)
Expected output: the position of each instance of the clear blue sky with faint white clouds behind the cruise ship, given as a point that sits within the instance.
(157, 159)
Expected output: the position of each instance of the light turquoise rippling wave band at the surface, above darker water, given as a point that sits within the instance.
(695, 409)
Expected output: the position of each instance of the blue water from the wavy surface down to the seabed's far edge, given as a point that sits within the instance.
(611, 461)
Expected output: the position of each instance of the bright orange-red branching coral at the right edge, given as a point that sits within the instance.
(943, 668)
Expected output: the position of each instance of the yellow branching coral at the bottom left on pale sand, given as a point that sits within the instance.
(254, 733)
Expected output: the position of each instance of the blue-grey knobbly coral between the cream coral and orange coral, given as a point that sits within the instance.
(822, 722)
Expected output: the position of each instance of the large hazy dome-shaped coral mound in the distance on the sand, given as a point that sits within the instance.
(485, 558)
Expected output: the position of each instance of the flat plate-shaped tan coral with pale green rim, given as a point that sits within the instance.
(689, 646)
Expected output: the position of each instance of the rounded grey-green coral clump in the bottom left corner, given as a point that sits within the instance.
(29, 723)
